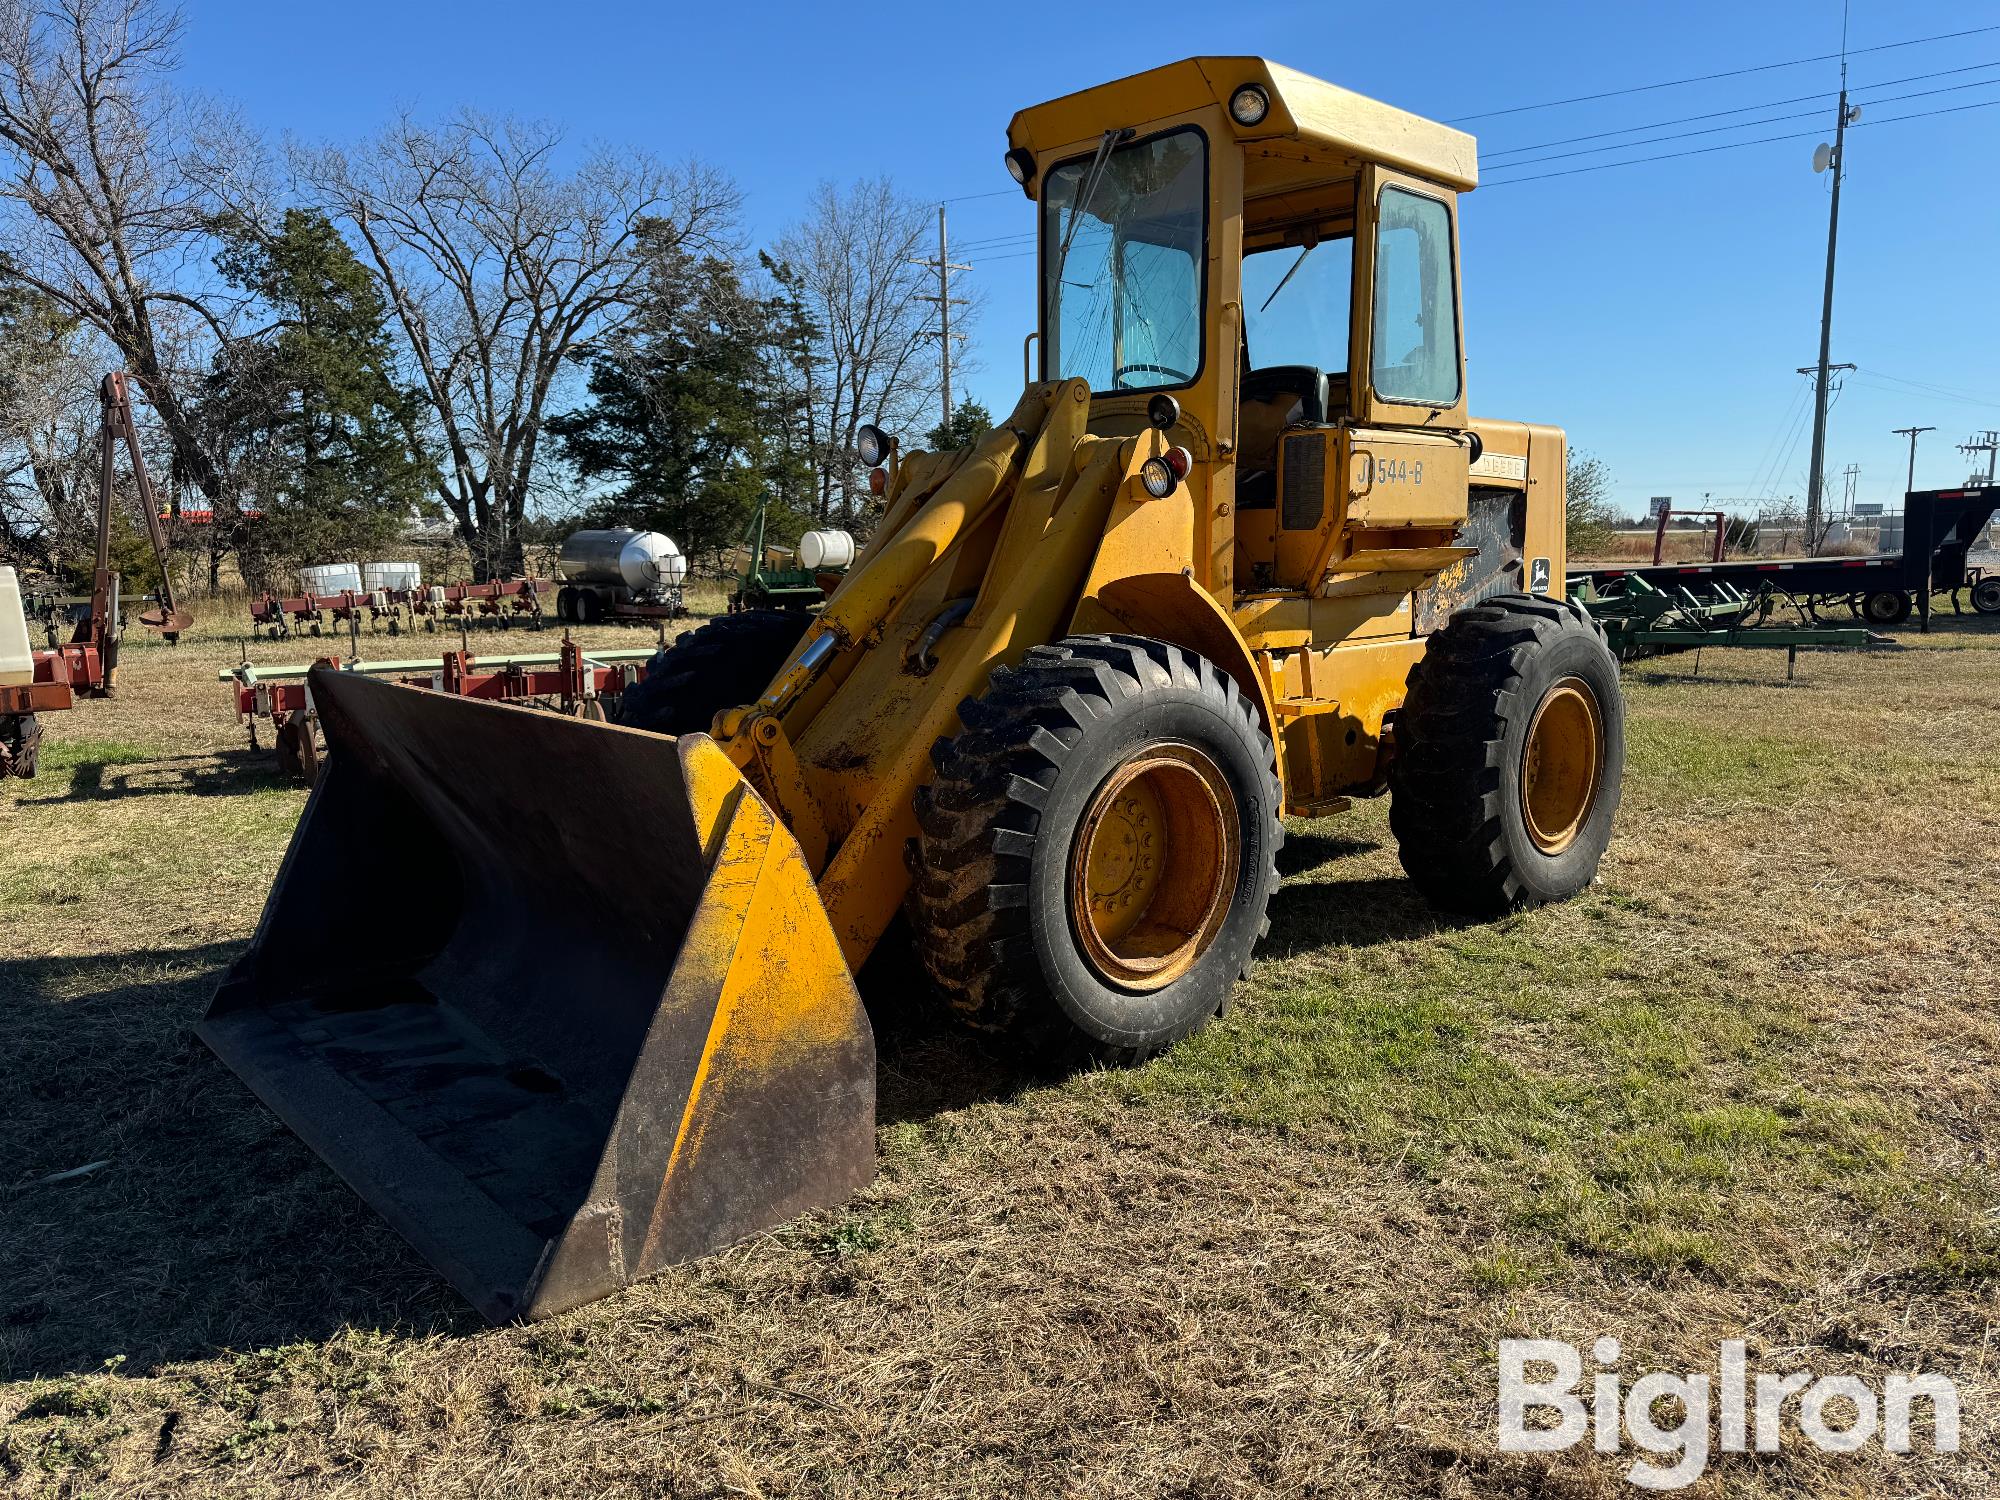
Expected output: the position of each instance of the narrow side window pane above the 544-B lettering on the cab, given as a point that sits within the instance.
(1415, 313)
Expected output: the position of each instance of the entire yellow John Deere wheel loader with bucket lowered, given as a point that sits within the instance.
(1237, 555)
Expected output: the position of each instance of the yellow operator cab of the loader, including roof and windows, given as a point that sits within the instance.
(1249, 239)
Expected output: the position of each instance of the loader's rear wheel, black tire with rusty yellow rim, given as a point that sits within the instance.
(1509, 757)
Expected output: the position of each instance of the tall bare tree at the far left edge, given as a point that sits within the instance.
(107, 187)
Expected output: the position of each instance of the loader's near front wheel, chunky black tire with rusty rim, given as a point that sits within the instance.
(1099, 849)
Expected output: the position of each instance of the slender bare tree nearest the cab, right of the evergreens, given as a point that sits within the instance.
(853, 269)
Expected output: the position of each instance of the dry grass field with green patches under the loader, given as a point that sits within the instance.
(1743, 1089)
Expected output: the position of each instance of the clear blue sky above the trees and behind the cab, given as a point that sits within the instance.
(1659, 311)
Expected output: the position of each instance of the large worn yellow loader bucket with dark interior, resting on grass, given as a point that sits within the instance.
(557, 999)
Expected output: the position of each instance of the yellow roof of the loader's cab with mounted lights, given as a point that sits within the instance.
(1325, 119)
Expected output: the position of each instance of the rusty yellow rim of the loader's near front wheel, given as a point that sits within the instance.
(1153, 867)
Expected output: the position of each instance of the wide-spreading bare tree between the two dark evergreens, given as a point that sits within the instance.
(499, 265)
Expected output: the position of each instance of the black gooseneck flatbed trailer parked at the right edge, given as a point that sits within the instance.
(1941, 529)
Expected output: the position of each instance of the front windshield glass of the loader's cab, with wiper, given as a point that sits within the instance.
(1125, 301)
